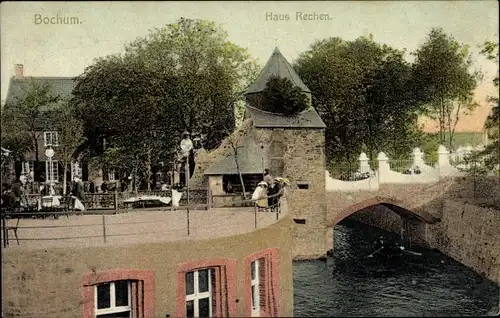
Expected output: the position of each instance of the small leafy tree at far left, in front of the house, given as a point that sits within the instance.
(25, 120)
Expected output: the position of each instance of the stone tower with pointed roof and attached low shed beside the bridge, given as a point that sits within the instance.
(291, 147)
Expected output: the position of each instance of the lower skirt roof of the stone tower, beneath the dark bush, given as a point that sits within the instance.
(308, 118)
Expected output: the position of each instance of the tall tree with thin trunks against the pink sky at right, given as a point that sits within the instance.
(444, 80)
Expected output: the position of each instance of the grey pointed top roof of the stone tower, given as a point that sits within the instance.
(277, 65)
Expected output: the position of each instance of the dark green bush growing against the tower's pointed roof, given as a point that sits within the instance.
(283, 97)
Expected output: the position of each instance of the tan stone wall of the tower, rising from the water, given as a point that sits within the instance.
(304, 160)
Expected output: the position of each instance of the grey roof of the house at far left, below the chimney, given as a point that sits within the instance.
(62, 86)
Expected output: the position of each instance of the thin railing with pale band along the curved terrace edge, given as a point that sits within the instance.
(145, 225)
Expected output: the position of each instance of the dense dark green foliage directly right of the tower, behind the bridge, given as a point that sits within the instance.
(361, 90)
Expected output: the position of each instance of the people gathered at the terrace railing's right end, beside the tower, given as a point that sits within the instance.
(267, 192)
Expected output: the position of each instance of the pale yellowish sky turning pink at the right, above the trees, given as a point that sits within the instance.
(97, 29)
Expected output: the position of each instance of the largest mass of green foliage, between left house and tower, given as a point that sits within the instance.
(185, 76)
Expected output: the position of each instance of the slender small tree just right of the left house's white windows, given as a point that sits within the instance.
(70, 135)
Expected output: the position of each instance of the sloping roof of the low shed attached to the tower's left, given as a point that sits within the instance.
(251, 158)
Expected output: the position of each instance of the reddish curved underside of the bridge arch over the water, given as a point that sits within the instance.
(396, 206)
